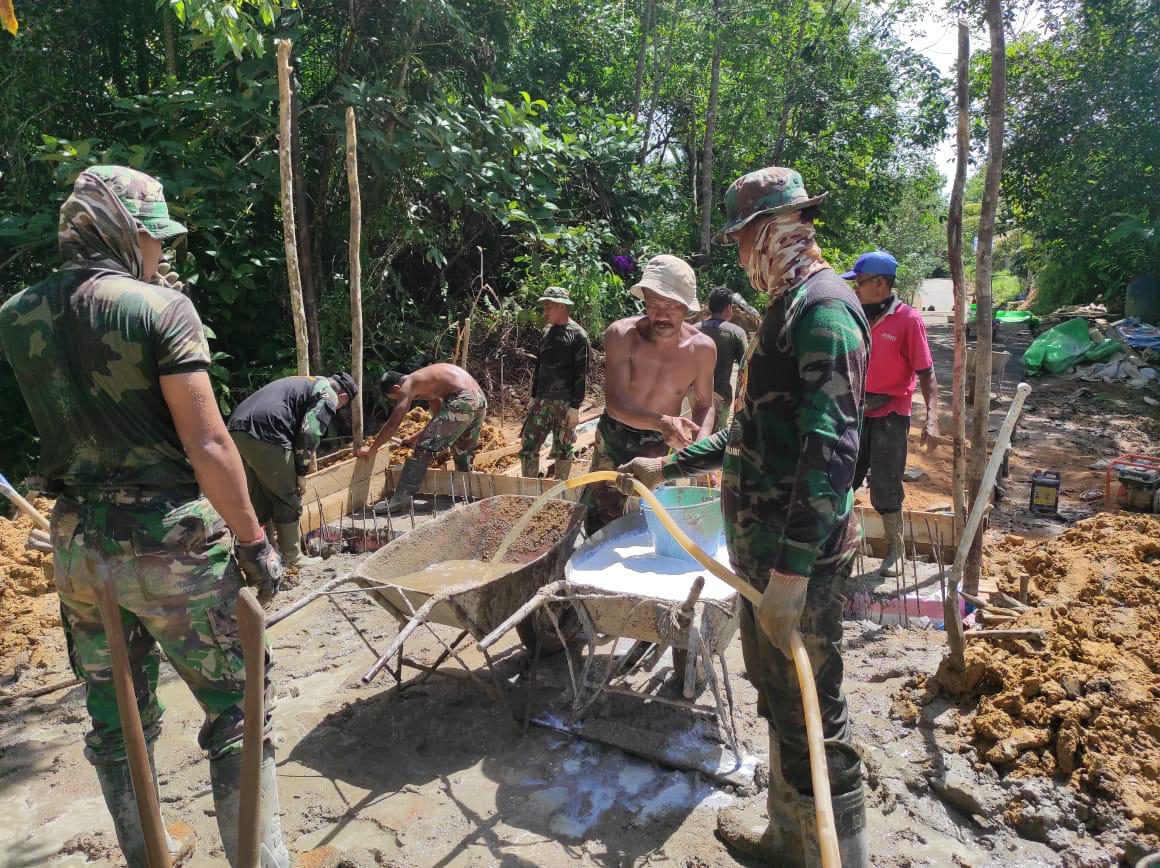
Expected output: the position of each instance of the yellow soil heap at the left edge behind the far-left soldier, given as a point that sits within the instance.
(31, 636)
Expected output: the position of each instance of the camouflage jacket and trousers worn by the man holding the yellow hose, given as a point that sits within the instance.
(788, 465)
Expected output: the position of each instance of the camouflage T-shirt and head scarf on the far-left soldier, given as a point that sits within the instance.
(89, 346)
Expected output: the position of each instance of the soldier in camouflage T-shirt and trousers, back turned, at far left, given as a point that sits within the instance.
(151, 495)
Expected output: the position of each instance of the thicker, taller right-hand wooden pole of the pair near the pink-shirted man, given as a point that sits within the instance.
(997, 105)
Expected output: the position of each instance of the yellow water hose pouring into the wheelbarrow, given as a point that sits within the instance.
(820, 775)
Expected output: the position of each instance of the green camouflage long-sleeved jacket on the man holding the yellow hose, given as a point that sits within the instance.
(788, 459)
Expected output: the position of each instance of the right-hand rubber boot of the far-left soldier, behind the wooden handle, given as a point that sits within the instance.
(226, 780)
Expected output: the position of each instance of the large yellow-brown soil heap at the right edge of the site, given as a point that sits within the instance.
(1085, 705)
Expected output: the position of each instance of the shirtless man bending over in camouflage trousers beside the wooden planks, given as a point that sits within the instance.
(458, 407)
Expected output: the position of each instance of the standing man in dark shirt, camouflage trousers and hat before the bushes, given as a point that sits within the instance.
(559, 388)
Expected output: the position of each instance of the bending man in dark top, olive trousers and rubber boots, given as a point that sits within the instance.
(278, 430)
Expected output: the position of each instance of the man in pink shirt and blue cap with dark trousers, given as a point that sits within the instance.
(900, 357)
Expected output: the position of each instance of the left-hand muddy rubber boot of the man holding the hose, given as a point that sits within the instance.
(772, 831)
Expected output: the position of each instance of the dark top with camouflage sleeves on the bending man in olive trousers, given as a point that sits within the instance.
(292, 413)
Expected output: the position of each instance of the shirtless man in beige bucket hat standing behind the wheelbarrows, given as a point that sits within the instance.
(651, 365)
